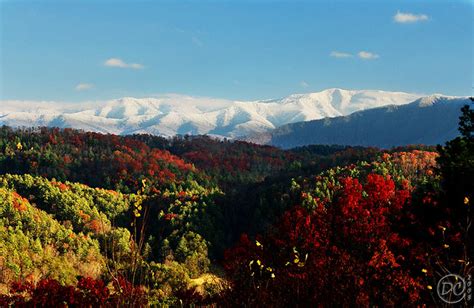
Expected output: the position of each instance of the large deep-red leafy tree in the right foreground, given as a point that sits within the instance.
(345, 252)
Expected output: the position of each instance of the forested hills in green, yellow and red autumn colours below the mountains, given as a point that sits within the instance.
(89, 219)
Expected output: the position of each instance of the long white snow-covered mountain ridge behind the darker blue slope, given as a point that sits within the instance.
(177, 114)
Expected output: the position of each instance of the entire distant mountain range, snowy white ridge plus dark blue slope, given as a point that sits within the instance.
(332, 116)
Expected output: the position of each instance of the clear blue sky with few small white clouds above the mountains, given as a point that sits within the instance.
(95, 50)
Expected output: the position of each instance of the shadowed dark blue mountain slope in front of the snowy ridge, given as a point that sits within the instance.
(429, 120)
